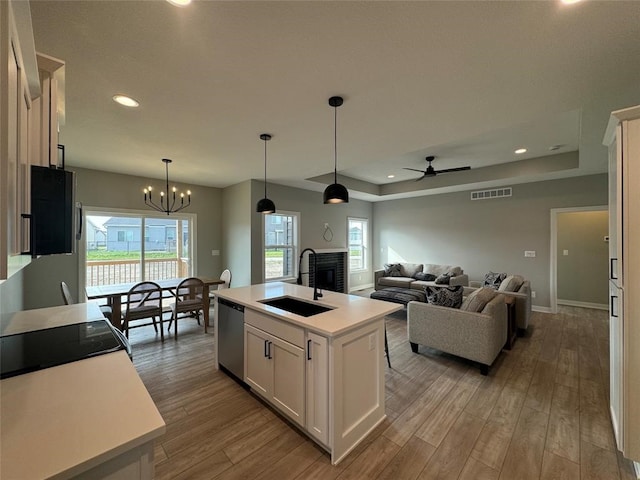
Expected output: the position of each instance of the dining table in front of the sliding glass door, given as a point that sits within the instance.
(113, 295)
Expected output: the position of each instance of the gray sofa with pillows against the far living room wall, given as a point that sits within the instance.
(411, 275)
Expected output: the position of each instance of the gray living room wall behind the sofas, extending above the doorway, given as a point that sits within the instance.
(482, 235)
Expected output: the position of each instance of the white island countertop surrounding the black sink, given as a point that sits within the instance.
(349, 311)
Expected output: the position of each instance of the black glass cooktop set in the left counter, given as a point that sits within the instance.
(38, 349)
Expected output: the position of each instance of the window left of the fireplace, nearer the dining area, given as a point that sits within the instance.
(280, 245)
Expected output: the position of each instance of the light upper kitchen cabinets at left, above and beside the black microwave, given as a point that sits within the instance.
(31, 109)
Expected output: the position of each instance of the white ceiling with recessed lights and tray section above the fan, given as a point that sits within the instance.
(468, 82)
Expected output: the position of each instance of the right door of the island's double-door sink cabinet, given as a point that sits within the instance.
(288, 379)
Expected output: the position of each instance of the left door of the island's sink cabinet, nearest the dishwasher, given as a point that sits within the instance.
(258, 370)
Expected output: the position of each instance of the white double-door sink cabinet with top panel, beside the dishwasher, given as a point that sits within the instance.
(275, 367)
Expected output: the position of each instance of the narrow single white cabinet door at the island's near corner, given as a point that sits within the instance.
(318, 388)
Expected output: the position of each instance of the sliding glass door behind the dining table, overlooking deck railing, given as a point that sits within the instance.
(124, 248)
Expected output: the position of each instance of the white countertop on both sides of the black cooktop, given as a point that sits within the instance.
(61, 421)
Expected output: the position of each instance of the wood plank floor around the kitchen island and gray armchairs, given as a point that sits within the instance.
(542, 413)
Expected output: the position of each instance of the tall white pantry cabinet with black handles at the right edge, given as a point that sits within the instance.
(623, 139)
